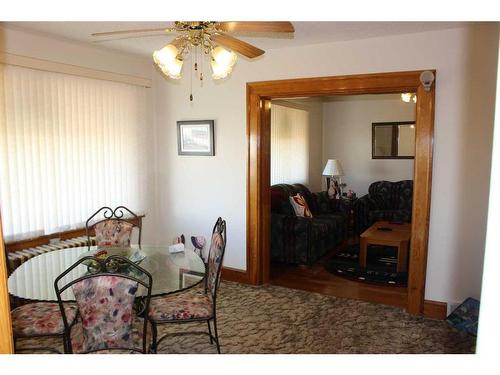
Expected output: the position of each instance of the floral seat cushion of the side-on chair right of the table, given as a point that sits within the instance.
(192, 304)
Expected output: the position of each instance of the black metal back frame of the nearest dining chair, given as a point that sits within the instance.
(108, 267)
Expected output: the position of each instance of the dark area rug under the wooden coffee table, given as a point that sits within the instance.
(380, 265)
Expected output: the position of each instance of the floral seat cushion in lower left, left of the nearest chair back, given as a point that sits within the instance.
(41, 318)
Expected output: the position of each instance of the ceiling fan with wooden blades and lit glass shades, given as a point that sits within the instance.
(206, 37)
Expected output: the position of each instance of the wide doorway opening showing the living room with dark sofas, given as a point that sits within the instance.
(328, 153)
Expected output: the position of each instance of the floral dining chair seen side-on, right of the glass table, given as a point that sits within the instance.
(195, 304)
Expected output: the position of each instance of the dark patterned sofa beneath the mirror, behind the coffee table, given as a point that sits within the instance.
(385, 201)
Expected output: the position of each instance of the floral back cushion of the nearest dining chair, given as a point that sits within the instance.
(106, 309)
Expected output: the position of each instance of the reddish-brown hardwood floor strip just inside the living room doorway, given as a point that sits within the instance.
(317, 279)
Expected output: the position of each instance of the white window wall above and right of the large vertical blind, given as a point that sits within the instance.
(41, 46)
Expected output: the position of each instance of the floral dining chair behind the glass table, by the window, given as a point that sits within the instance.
(113, 229)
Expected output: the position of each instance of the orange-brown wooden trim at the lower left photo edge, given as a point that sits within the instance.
(6, 340)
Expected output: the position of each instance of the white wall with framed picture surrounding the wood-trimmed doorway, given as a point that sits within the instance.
(194, 191)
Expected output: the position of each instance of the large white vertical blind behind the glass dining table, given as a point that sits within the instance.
(68, 145)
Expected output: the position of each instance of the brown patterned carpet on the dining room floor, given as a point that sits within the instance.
(271, 319)
